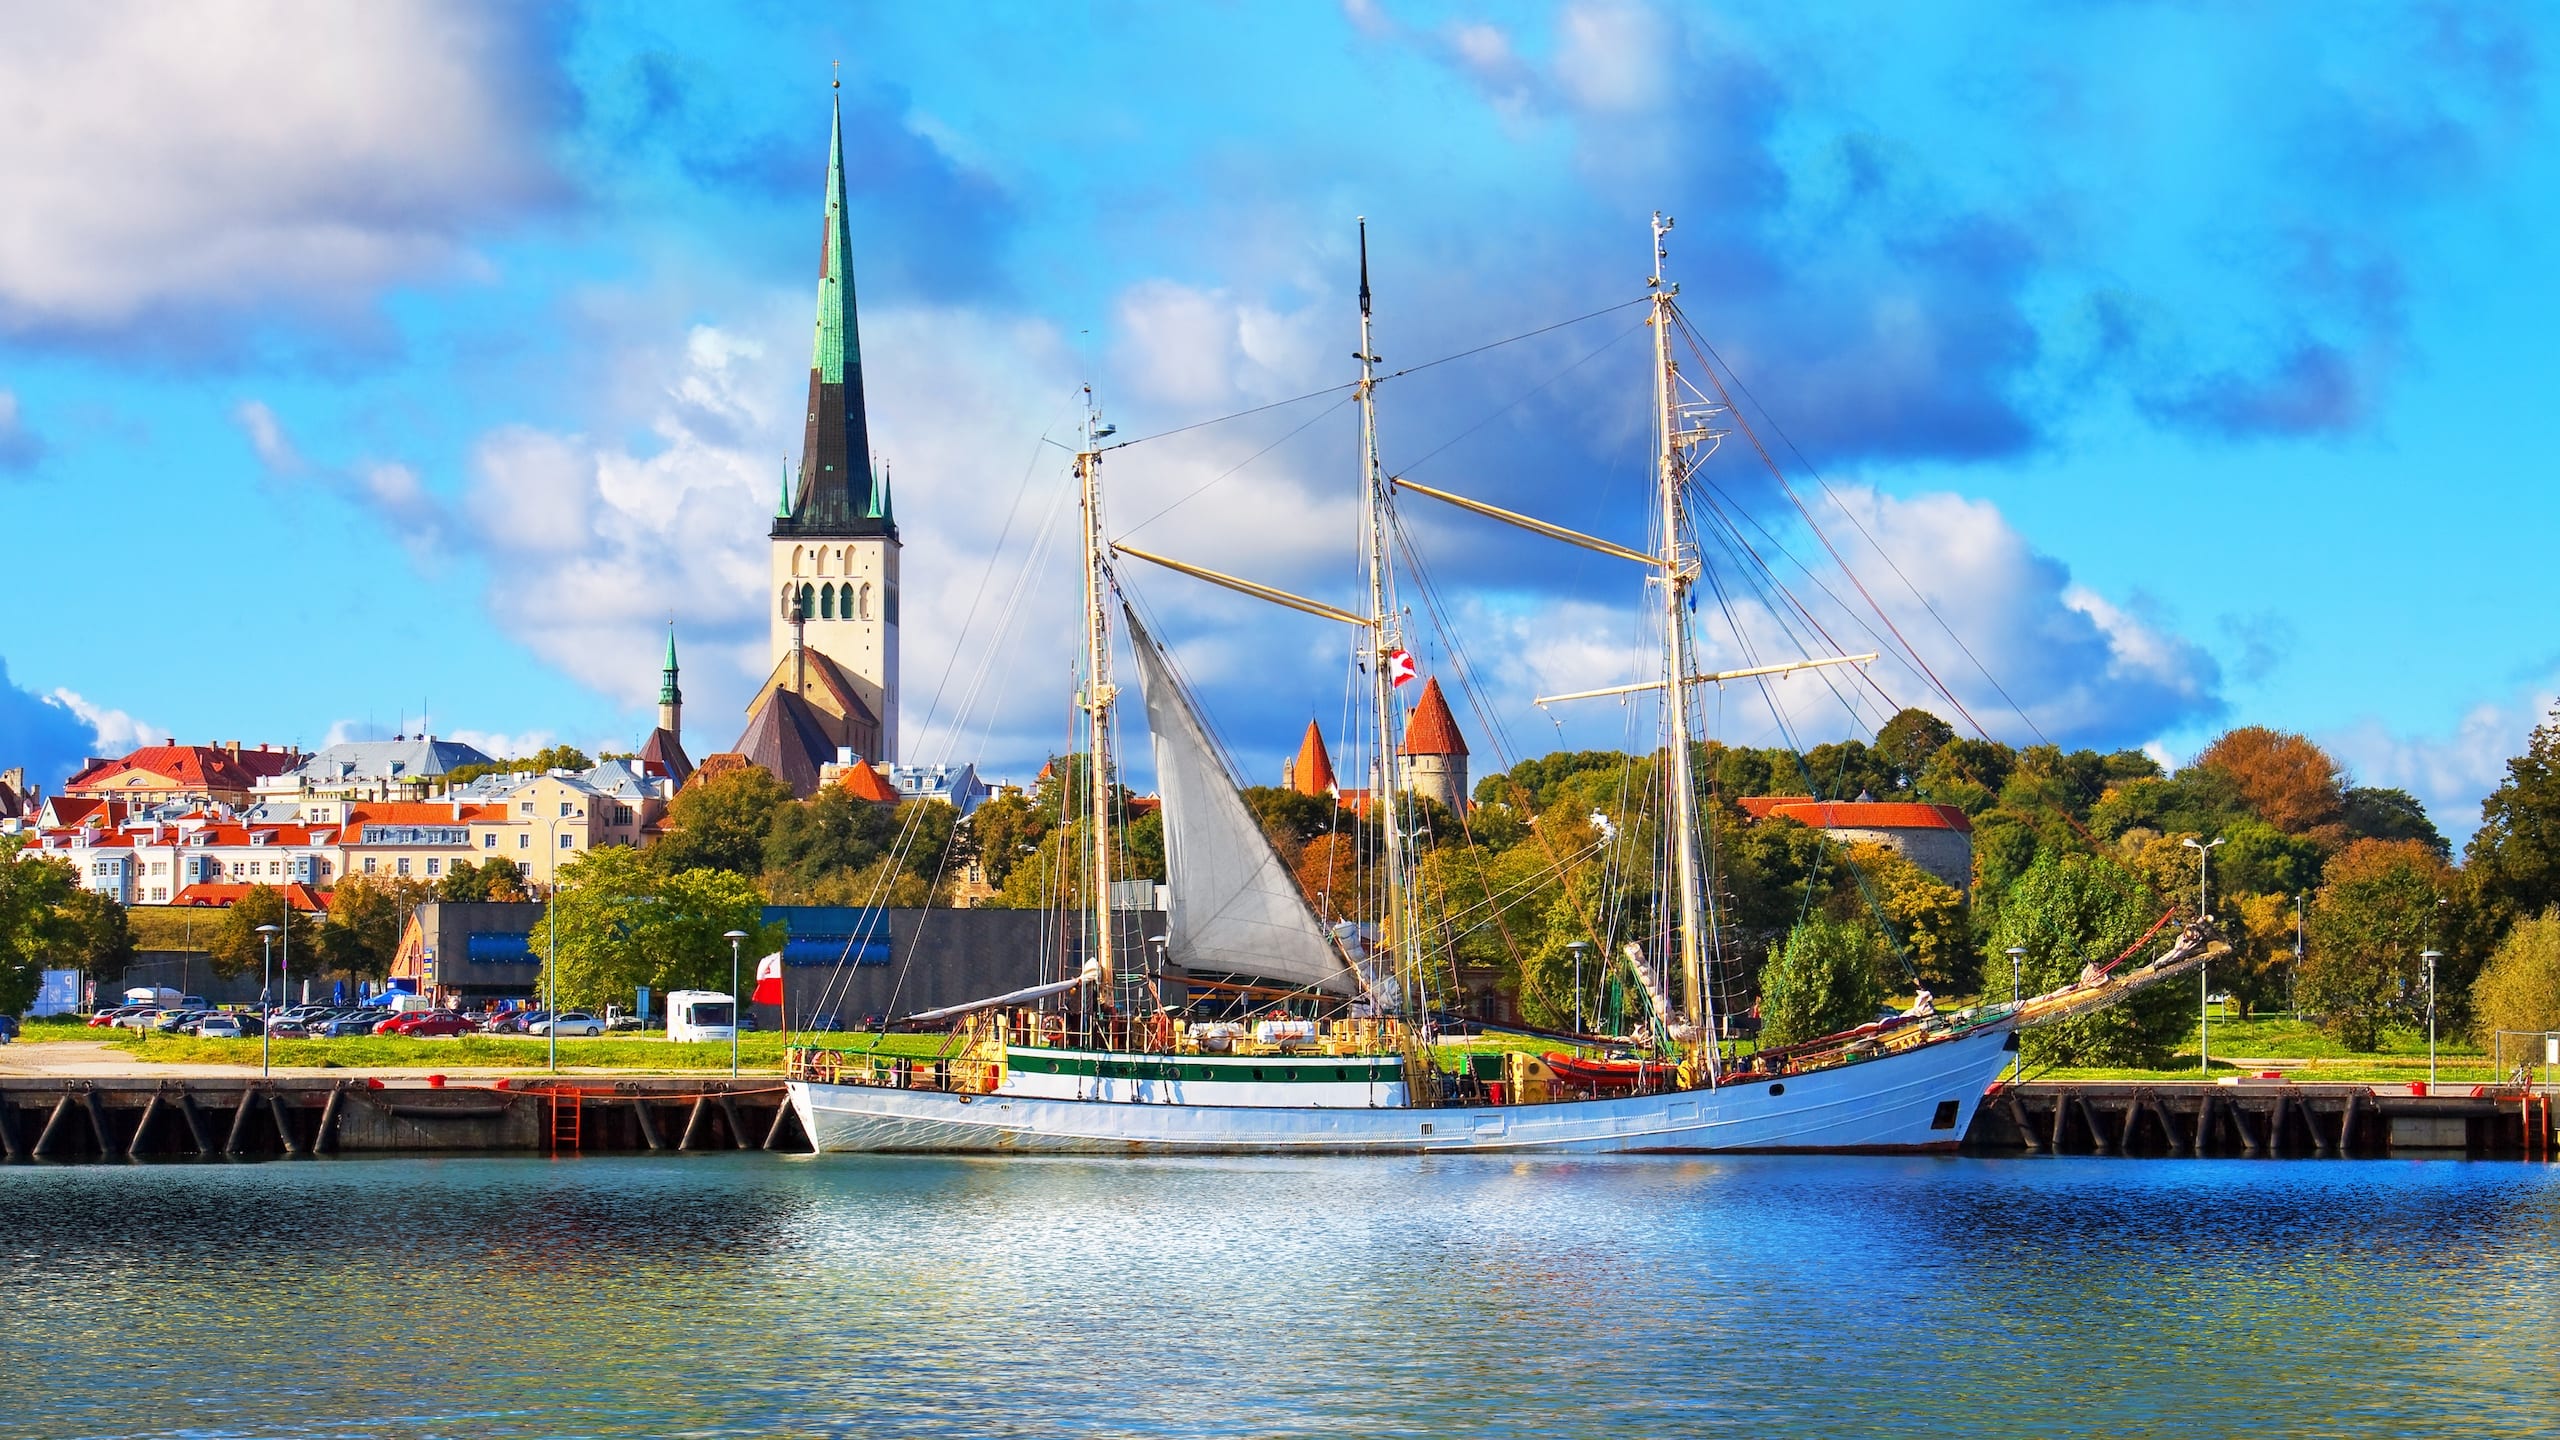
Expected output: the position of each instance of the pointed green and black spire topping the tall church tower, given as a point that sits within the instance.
(838, 493)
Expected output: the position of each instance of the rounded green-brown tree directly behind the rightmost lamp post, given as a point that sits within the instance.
(2380, 906)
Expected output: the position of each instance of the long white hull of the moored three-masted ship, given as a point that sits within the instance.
(1916, 1100)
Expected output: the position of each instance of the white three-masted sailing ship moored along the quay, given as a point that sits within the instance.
(1345, 1057)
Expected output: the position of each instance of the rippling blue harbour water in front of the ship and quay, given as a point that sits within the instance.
(749, 1295)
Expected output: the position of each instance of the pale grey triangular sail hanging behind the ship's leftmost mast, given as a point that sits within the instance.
(1235, 906)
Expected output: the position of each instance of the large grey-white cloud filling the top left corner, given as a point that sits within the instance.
(242, 155)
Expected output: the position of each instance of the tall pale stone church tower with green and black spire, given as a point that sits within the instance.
(836, 539)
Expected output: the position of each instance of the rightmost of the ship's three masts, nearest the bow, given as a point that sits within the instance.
(1678, 575)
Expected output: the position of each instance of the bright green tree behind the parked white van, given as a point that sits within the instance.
(626, 924)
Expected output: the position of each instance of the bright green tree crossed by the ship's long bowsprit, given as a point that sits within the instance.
(2072, 911)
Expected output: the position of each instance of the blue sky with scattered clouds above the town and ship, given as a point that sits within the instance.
(434, 357)
